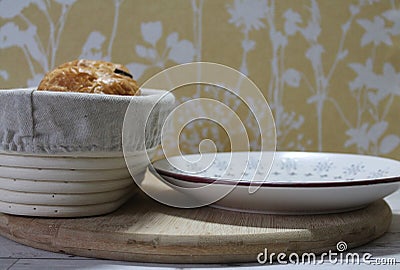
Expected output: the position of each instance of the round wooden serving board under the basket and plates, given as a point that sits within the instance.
(144, 230)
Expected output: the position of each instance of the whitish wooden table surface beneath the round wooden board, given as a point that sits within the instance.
(15, 256)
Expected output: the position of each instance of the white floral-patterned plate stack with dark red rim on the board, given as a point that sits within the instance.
(298, 183)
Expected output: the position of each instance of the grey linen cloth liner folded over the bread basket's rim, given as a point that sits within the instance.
(56, 122)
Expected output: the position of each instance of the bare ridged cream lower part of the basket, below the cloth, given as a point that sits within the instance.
(82, 184)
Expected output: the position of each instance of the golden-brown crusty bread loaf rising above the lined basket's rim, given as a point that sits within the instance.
(90, 76)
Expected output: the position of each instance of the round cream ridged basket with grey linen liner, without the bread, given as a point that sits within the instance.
(61, 153)
